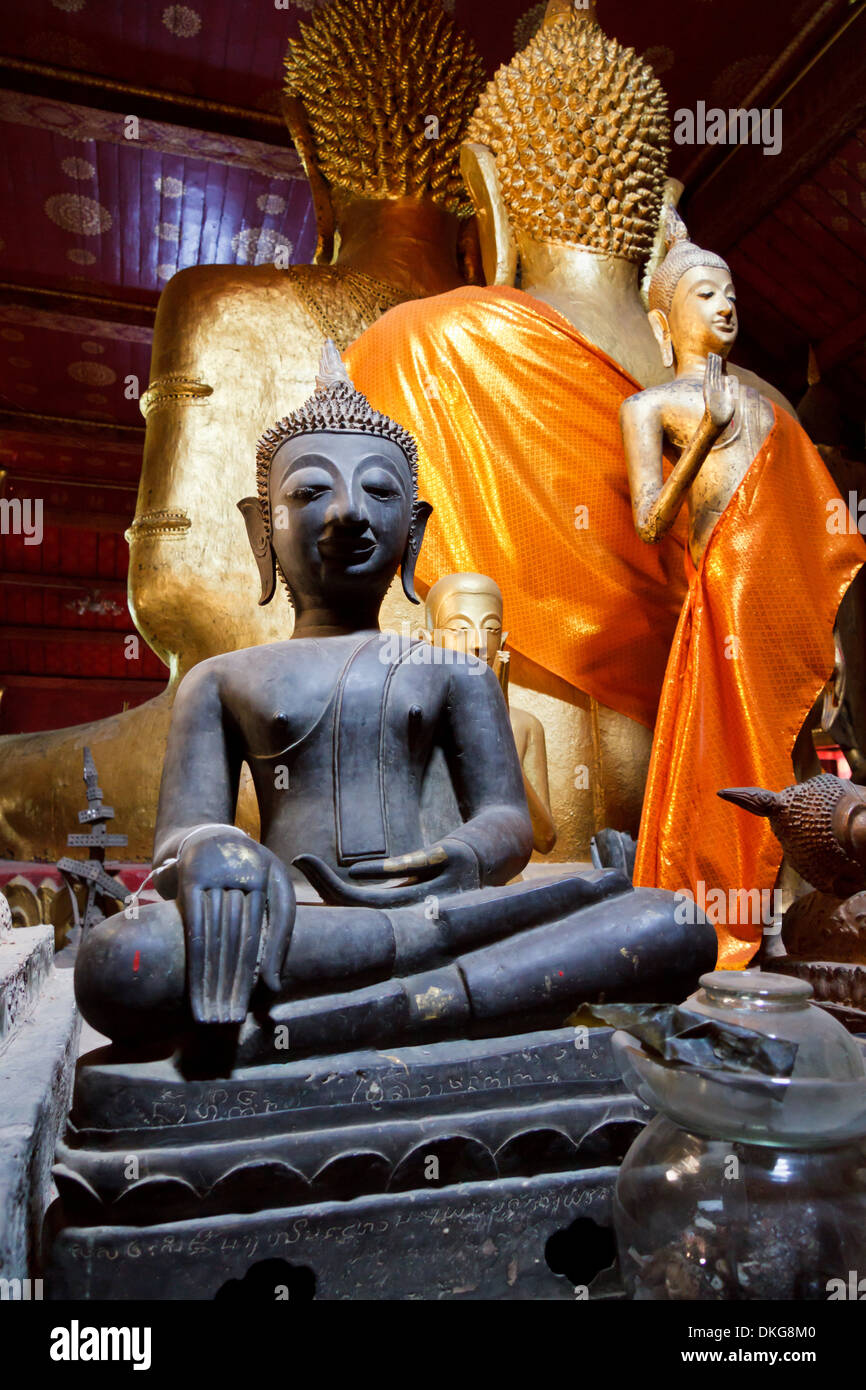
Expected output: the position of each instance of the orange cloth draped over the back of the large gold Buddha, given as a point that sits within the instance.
(521, 454)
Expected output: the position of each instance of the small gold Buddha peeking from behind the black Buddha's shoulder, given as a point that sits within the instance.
(465, 614)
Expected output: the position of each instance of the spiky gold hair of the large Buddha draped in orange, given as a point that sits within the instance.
(580, 131)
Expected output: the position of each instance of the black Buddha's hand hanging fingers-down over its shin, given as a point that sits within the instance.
(238, 908)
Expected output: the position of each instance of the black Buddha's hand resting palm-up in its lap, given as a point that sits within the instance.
(448, 867)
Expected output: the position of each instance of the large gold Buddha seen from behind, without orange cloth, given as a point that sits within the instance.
(237, 347)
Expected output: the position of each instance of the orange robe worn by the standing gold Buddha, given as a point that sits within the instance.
(753, 650)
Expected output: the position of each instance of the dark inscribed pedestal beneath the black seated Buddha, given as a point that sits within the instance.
(461, 1170)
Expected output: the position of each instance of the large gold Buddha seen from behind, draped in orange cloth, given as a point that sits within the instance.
(565, 161)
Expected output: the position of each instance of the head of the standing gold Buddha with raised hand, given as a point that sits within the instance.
(693, 306)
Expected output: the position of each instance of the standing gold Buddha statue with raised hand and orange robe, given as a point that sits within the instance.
(754, 646)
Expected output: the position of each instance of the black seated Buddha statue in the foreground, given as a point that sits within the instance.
(412, 939)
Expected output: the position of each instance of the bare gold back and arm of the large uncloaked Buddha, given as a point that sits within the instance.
(236, 350)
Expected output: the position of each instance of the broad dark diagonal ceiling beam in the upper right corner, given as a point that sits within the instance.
(821, 109)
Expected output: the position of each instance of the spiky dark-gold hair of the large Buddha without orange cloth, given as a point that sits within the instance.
(370, 76)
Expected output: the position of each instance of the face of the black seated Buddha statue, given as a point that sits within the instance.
(341, 505)
